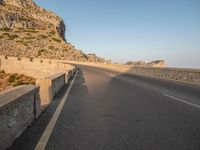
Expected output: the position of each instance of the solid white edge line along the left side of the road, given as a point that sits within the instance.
(47, 133)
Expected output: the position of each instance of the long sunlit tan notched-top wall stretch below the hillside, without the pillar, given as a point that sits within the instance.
(37, 68)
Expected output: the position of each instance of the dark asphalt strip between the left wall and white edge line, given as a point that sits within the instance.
(28, 140)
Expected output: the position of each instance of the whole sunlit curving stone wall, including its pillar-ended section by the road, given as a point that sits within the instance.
(50, 75)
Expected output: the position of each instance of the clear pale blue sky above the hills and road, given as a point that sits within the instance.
(132, 30)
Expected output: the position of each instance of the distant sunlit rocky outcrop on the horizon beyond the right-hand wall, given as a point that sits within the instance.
(156, 63)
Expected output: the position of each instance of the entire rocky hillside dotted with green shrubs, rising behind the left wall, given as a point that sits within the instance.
(27, 30)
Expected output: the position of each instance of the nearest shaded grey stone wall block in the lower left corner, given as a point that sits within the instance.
(19, 106)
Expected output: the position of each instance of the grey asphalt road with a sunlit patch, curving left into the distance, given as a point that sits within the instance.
(106, 110)
